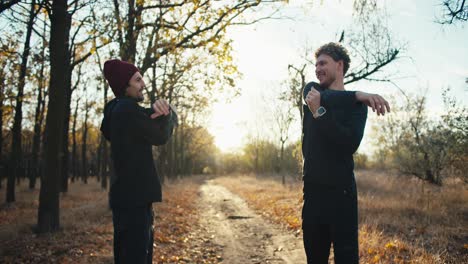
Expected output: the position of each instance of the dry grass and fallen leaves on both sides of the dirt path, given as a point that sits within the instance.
(398, 222)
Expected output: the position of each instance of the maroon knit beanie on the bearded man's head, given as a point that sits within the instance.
(118, 73)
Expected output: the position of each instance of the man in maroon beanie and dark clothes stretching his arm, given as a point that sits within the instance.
(132, 131)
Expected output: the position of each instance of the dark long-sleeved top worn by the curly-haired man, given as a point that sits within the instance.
(329, 142)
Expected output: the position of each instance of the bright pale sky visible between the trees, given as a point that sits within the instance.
(436, 57)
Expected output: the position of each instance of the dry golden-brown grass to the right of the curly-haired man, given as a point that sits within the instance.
(415, 221)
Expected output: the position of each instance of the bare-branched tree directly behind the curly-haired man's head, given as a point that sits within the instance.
(370, 44)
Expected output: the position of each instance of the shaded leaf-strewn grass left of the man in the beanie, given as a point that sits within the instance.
(85, 235)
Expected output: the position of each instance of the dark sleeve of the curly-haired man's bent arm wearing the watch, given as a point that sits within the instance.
(347, 132)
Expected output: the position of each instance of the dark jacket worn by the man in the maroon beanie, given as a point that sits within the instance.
(132, 133)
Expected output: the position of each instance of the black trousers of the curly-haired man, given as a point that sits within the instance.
(330, 216)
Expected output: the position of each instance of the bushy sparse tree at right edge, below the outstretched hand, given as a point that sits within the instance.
(422, 147)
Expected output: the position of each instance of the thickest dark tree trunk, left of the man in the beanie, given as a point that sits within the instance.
(48, 213)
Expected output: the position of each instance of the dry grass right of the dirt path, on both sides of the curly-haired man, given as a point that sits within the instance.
(399, 223)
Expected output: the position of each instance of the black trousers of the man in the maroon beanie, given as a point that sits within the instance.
(133, 235)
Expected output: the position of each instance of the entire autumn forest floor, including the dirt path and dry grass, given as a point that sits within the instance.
(245, 219)
